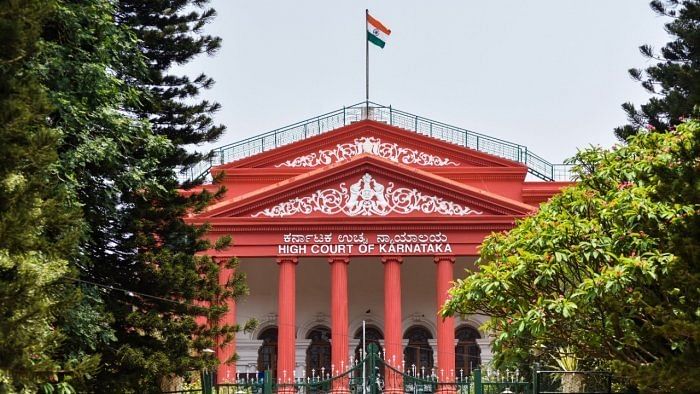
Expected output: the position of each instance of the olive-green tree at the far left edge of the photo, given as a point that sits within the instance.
(40, 227)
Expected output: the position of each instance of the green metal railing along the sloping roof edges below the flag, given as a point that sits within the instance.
(536, 165)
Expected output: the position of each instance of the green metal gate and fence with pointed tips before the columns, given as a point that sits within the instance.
(376, 374)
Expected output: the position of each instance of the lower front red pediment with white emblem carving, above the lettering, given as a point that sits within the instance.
(367, 186)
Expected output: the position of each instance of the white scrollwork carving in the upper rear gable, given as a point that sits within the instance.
(371, 145)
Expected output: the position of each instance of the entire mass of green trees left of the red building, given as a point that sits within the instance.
(96, 263)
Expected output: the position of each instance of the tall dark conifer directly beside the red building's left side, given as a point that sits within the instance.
(152, 250)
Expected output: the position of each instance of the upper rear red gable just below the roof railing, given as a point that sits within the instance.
(375, 138)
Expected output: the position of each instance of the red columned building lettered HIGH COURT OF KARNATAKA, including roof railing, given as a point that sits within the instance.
(363, 214)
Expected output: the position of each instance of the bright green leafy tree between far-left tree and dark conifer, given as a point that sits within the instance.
(104, 152)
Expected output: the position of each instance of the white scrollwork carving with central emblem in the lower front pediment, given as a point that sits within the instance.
(367, 197)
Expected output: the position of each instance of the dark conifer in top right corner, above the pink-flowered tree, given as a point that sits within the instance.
(674, 81)
